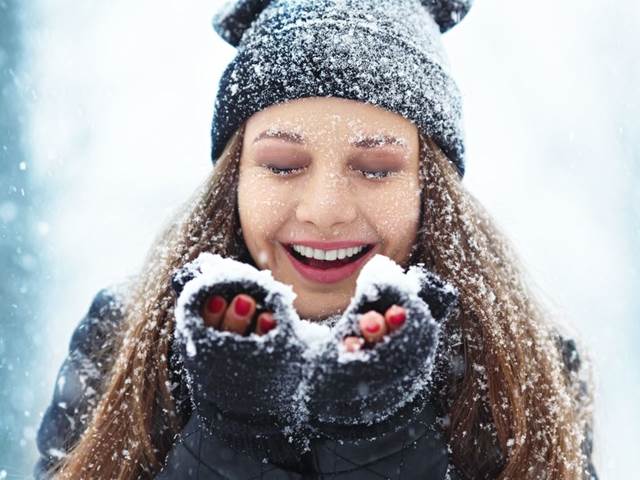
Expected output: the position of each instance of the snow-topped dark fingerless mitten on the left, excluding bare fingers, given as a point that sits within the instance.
(241, 385)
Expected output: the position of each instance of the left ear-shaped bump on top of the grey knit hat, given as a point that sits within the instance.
(235, 17)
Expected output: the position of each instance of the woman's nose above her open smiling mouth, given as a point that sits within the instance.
(326, 201)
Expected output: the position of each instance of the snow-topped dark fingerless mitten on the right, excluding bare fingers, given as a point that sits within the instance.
(368, 386)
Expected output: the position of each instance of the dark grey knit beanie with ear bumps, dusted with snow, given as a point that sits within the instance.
(383, 52)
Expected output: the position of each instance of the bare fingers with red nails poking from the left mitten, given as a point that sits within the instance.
(237, 315)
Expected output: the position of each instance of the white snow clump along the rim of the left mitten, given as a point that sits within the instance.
(215, 269)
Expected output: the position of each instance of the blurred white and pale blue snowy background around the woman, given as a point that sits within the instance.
(105, 112)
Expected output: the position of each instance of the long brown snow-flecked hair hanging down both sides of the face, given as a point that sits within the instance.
(511, 412)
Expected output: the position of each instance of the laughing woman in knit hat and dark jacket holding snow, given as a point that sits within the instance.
(338, 121)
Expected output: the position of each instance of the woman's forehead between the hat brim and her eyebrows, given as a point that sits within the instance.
(318, 120)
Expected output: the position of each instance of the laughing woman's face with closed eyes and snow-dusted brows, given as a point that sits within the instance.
(320, 177)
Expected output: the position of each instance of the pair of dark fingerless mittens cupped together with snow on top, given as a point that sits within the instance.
(298, 375)
